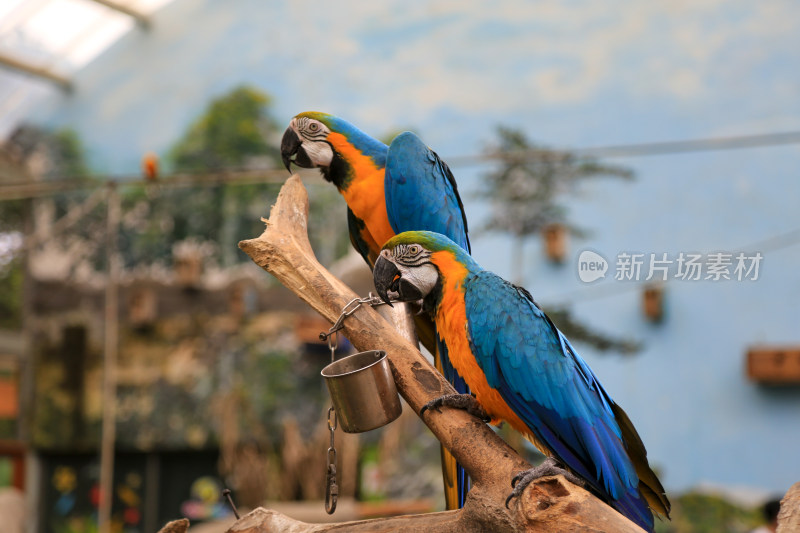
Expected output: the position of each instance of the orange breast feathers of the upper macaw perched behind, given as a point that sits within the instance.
(365, 195)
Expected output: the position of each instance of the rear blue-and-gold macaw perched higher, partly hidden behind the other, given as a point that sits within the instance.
(388, 190)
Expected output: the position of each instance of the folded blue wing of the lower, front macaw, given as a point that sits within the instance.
(542, 378)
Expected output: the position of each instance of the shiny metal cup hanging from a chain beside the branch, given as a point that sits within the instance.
(363, 391)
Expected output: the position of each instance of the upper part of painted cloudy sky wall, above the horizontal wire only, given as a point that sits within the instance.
(570, 73)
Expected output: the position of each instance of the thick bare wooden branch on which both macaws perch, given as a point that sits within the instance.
(551, 504)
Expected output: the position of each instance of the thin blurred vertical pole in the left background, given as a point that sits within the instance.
(110, 363)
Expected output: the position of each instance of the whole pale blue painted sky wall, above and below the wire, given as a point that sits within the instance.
(570, 74)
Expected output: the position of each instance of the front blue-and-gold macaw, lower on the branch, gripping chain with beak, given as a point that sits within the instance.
(521, 369)
